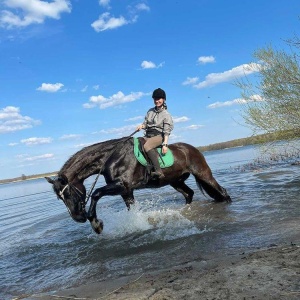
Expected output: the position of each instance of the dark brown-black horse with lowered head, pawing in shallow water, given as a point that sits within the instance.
(123, 173)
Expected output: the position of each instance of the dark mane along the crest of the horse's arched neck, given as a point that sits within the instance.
(90, 151)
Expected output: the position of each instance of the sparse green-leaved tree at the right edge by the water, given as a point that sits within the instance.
(272, 101)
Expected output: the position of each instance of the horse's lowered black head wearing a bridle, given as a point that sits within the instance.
(73, 196)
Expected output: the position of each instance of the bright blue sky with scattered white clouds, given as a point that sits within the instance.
(77, 72)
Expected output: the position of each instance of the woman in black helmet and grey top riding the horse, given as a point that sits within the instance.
(158, 124)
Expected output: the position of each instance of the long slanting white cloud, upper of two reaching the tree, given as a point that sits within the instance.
(234, 73)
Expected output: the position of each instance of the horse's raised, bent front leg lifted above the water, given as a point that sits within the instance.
(112, 189)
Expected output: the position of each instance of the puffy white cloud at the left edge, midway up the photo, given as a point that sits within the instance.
(11, 120)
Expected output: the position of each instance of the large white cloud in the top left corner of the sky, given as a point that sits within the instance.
(21, 13)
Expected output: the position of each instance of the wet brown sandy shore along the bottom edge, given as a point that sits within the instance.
(272, 273)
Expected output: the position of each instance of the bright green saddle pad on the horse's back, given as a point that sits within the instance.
(165, 160)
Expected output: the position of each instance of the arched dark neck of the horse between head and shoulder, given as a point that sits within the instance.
(87, 162)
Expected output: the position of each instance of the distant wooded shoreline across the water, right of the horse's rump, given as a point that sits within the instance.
(253, 140)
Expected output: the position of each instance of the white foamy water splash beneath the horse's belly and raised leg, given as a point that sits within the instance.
(148, 221)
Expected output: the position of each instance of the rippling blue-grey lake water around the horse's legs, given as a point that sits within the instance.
(42, 249)
